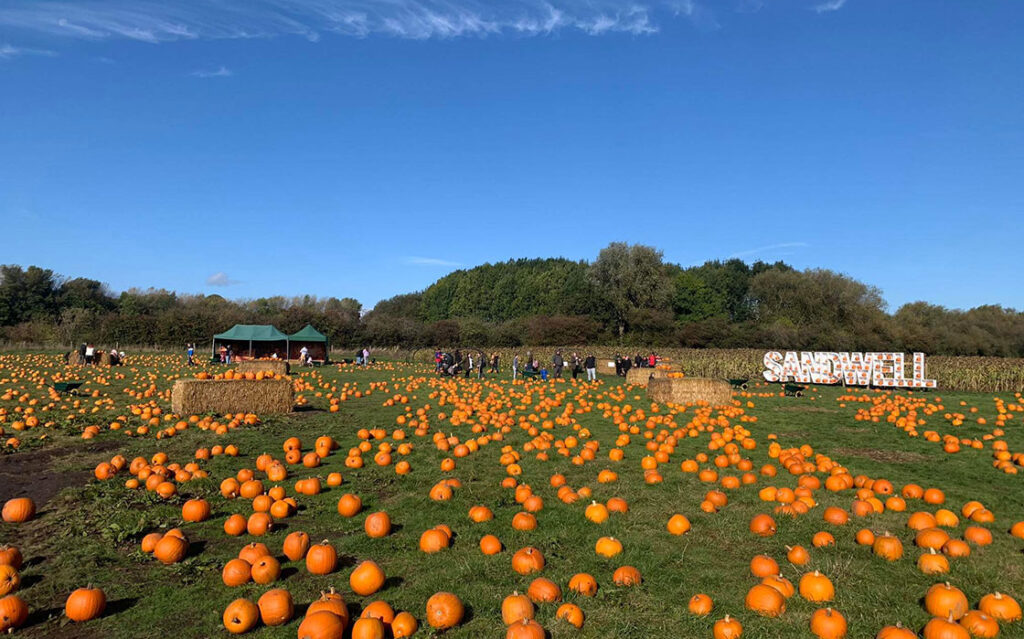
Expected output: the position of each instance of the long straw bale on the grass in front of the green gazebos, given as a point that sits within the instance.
(193, 397)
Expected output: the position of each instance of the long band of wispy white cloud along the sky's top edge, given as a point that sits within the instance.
(157, 21)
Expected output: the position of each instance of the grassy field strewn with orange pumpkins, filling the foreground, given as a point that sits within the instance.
(394, 502)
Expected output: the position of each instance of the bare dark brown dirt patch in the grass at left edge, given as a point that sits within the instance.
(35, 475)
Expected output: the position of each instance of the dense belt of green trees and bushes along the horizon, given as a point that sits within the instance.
(627, 295)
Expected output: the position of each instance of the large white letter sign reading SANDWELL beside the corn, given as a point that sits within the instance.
(887, 370)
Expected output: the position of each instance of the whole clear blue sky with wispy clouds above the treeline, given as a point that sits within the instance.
(364, 149)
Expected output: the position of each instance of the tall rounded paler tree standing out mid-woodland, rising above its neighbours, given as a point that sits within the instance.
(629, 278)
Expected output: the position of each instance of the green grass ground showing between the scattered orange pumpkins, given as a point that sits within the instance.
(91, 532)
